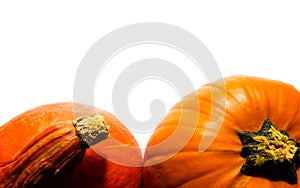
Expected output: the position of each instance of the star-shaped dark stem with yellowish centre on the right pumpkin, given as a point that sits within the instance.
(270, 153)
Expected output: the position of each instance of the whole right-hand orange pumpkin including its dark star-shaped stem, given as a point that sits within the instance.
(236, 132)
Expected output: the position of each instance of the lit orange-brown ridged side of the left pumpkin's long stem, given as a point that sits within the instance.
(29, 158)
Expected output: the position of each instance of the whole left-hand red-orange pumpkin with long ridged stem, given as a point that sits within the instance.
(43, 146)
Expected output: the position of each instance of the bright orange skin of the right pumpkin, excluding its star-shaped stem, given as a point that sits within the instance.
(243, 106)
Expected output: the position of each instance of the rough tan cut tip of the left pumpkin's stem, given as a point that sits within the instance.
(91, 129)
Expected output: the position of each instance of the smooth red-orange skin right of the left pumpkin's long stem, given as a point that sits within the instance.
(114, 162)
